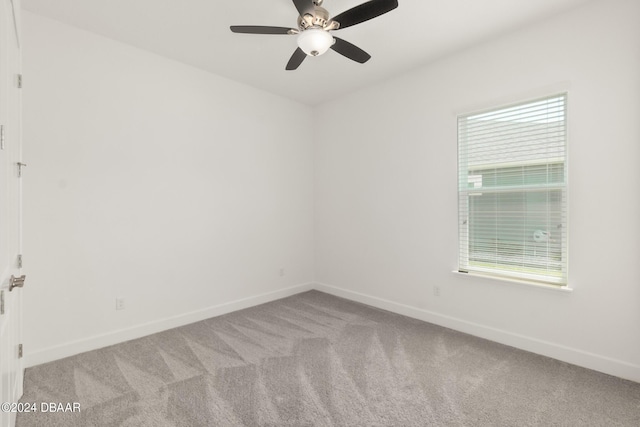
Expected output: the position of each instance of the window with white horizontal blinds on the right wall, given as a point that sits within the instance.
(512, 191)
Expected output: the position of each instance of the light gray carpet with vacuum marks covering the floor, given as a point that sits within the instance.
(317, 360)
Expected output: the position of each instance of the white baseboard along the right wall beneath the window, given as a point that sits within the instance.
(561, 352)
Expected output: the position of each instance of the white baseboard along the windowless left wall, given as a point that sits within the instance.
(92, 343)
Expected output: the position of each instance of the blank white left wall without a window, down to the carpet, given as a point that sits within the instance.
(180, 191)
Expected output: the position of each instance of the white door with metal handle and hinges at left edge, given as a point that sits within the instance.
(10, 208)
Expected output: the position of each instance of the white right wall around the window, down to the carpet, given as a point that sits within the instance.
(386, 202)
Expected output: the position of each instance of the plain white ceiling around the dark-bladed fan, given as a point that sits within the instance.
(196, 32)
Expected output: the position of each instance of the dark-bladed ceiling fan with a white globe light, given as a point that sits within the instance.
(314, 26)
